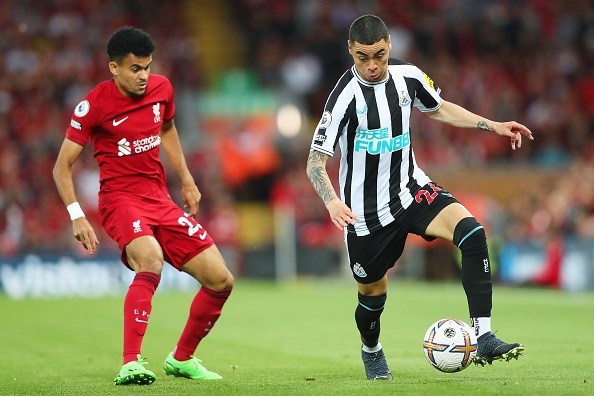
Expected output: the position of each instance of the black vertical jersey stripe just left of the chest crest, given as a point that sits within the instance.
(396, 115)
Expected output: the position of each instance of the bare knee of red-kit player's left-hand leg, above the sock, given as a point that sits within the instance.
(144, 254)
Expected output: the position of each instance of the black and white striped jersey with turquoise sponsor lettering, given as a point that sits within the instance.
(371, 123)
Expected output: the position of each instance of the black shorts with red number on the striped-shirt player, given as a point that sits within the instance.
(371, 256)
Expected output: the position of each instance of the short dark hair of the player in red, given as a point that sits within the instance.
(129, 40)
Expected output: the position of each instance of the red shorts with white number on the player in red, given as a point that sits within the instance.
(128, 216)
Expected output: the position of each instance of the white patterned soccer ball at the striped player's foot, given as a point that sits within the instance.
(450, 345)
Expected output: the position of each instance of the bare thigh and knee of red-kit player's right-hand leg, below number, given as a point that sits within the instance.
(208, 267)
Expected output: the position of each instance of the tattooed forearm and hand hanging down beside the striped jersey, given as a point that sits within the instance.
(340, 213)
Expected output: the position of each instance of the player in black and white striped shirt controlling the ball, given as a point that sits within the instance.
(384, 195)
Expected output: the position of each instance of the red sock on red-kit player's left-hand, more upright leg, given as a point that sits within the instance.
(137, 310)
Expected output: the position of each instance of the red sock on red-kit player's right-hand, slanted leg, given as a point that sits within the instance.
(204, 312)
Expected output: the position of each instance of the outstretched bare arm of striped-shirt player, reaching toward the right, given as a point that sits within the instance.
(458, 116)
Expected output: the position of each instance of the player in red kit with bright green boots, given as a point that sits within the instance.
(128, 119)
